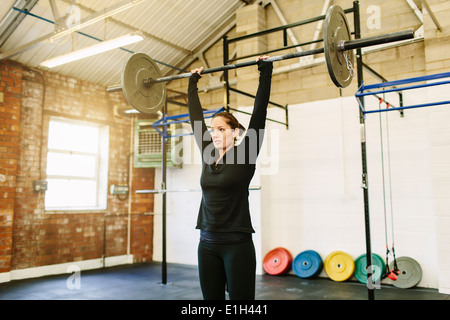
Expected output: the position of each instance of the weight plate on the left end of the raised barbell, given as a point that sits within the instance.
(144, 98)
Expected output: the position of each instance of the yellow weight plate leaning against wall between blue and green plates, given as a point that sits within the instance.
(339, 266)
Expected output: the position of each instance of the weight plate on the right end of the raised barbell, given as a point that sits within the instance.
(336, 29)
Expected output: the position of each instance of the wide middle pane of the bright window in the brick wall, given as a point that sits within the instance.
(65, 164)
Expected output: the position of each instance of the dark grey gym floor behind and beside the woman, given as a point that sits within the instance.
(143, 282)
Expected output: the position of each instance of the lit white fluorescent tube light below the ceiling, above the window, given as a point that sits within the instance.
(92, 50)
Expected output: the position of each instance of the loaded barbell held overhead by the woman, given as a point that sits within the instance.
(144, 89)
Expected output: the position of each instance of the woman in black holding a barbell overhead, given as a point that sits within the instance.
(226, 254)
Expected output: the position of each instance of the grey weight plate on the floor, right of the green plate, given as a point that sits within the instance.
(410, 273)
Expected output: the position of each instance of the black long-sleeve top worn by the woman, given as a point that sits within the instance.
(224, 206)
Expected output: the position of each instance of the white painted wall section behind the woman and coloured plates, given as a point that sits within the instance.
(311, 196)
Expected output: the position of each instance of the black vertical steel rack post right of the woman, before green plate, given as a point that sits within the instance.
(364, 185)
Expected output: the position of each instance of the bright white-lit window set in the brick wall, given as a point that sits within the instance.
(77, 165)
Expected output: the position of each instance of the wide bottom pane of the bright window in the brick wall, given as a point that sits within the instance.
(70, 193)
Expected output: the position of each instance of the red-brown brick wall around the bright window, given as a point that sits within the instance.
(32, 237)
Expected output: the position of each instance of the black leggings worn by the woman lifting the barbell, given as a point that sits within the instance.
(223, 264)
